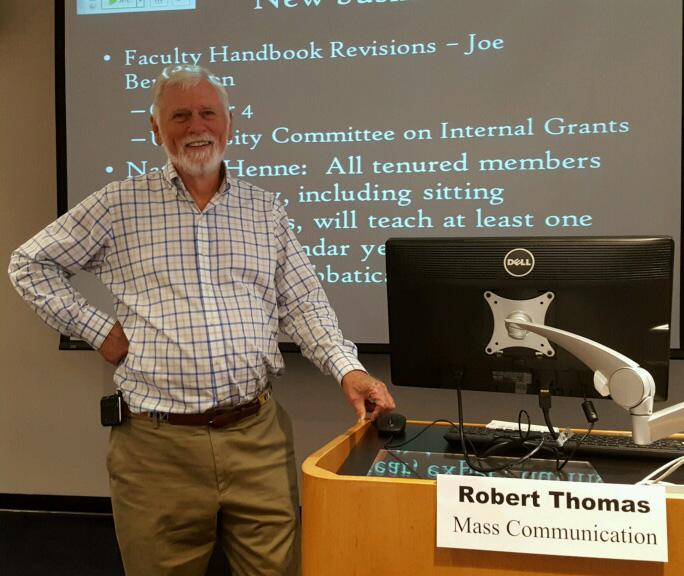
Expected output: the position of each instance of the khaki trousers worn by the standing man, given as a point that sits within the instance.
(177, 489)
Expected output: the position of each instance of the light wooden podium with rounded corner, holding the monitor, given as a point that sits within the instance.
(359, 525)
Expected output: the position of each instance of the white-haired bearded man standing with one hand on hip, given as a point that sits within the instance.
(204, 271)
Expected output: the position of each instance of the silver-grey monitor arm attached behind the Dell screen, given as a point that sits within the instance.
(629, 385)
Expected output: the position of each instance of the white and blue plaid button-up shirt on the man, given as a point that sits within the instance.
(201, 295)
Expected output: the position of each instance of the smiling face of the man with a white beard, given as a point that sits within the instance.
(194, 127)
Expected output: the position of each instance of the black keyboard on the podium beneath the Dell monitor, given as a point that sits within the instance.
(598, 445)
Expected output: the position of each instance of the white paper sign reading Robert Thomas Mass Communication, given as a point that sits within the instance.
(548, 517)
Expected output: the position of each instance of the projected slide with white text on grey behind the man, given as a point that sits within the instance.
(374, 119)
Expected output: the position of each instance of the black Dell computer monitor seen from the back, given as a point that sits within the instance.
(447, 298)
